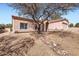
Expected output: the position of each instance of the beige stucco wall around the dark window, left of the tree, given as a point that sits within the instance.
(16, 26)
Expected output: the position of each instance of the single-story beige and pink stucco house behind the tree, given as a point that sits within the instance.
(21, 24)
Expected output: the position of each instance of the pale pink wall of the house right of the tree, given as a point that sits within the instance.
(57, 26)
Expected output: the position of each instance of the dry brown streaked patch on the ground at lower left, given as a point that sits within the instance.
(15, 45)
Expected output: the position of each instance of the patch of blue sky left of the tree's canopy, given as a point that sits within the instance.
(5, 14)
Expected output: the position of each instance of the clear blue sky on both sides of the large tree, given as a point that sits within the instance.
(6, 12)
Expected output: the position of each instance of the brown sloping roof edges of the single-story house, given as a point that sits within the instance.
(50, 21)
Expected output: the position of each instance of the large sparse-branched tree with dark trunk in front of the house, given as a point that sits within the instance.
(40, 11)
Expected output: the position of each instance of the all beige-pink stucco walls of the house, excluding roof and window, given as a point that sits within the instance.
(30, 26)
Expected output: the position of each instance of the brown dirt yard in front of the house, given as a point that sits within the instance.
(46, 44)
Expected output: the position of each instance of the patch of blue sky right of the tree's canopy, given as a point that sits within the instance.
(73, 17)
